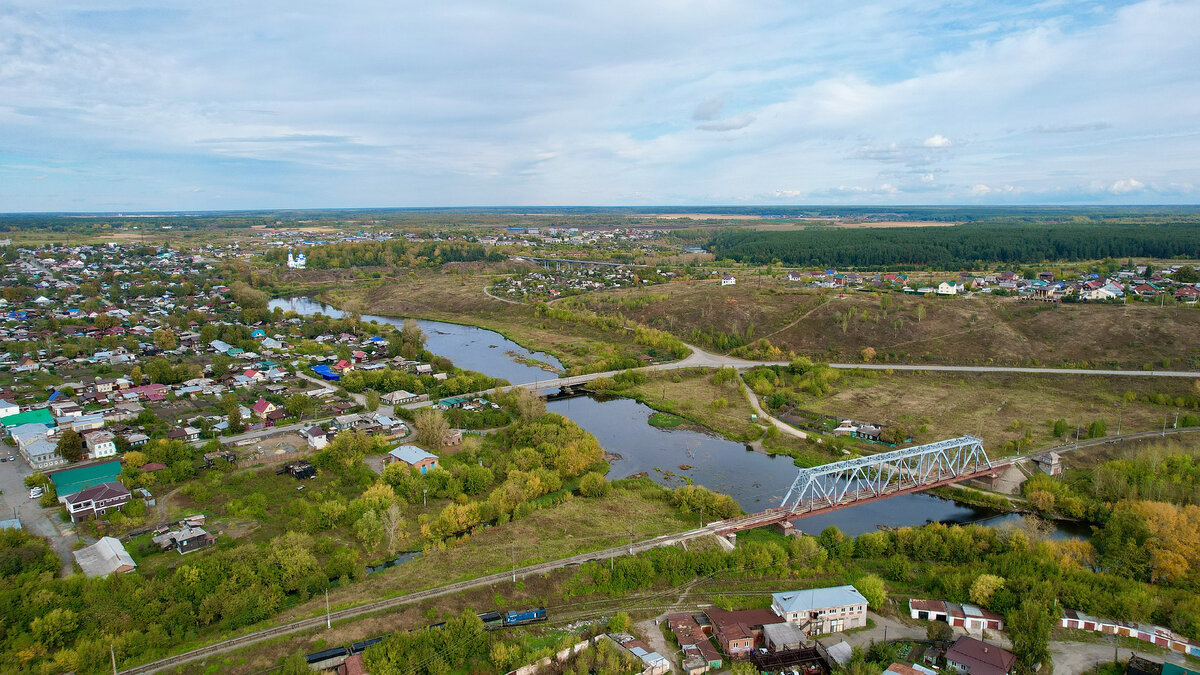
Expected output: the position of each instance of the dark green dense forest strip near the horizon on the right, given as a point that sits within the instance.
(964, 247)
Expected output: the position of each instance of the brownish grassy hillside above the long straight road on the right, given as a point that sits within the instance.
(980, 331)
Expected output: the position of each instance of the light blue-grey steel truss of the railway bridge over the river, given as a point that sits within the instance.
(884, 475)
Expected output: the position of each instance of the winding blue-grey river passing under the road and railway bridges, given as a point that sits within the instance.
(622, 426)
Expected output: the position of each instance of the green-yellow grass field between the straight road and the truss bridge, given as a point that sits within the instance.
(999, 408)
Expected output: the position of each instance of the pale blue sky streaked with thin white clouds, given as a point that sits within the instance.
(113, 106)
